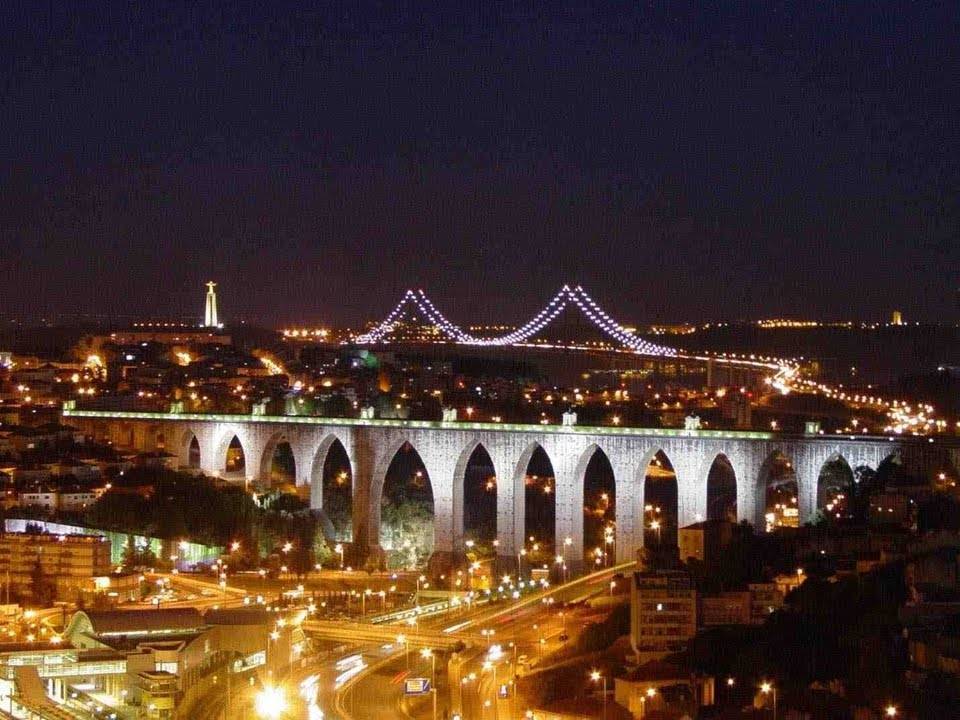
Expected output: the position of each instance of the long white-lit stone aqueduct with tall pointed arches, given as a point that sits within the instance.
(445, 449)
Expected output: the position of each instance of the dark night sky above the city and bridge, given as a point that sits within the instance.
(681, 160)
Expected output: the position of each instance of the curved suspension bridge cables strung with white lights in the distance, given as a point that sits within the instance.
(418, 301)
